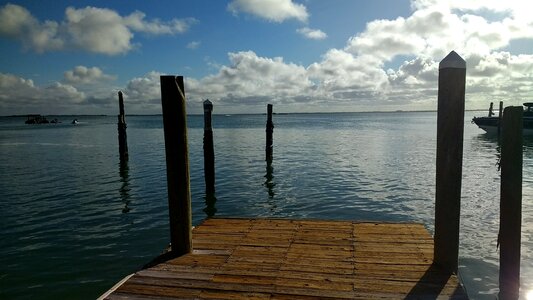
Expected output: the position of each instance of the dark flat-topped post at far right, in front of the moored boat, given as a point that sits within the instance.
(510, 202)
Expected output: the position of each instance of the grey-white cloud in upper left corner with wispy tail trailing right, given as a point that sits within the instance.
(98, 30)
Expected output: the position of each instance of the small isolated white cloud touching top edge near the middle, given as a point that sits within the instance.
(271, 10)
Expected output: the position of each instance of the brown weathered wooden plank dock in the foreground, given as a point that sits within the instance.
(298, 259)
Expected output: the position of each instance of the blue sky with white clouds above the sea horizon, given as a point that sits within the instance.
(72, 57)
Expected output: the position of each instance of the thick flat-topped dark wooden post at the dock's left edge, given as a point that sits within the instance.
(177, 156)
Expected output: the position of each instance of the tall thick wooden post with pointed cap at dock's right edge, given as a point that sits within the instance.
(450, 127)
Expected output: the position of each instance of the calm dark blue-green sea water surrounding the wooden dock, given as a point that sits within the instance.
(74, 221)
